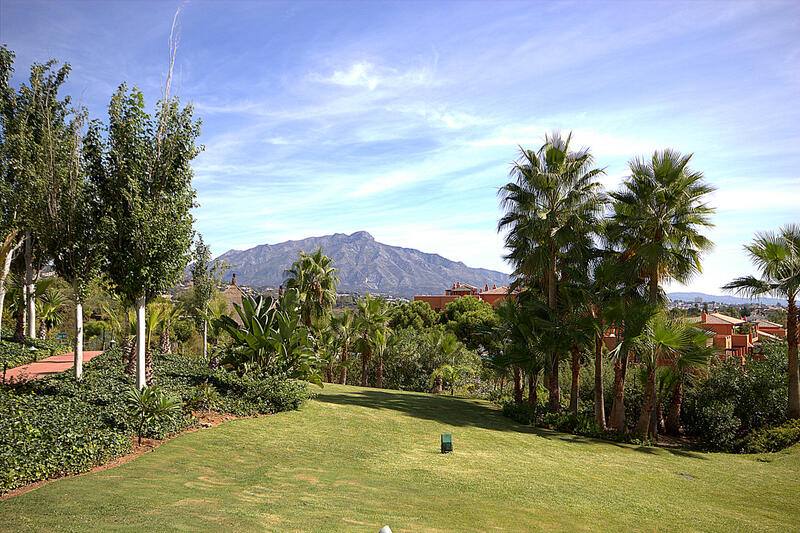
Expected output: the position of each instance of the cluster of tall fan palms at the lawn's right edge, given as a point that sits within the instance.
(589, 261)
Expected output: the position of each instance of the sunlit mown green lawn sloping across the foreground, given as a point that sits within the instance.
(356, 459)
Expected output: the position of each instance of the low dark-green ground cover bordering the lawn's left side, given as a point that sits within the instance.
(57, 426)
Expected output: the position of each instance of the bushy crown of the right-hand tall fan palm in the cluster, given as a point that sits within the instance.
(657, 218)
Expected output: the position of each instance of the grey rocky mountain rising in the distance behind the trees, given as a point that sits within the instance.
(365, 265)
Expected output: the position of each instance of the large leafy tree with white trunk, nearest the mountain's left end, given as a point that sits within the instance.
(141, 168)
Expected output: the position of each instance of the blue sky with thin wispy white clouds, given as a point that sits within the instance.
(402, 118)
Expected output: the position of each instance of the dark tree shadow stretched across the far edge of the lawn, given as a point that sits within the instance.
(466, 412)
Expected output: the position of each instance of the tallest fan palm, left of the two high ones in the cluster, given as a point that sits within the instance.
(550, 208)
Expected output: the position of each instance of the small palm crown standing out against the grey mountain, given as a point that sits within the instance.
(314, 277)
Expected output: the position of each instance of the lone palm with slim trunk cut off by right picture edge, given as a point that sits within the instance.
(777, 256)
